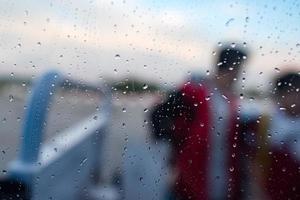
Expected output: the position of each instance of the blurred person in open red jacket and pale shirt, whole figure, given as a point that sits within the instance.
(201, 120)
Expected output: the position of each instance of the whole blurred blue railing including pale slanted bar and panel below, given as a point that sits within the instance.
(82, 146)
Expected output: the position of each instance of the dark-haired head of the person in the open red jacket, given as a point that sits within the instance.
(230, 59)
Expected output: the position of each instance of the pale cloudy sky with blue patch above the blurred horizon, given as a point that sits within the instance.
(155, 40)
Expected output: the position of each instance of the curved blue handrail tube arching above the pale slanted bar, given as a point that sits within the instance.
(36, 115)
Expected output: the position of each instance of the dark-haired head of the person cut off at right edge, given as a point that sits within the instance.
(287, 92)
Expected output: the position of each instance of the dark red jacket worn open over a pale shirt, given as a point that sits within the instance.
(192, 140)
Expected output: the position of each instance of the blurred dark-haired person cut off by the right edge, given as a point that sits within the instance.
(278, 148)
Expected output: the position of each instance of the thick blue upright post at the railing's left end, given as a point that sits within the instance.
(33, 127)
